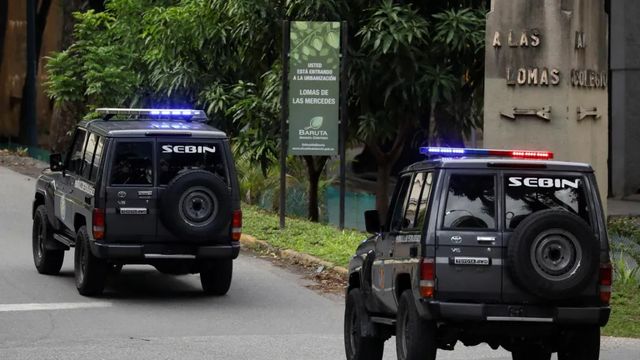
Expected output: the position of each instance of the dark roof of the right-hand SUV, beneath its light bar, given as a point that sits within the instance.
(498, 163)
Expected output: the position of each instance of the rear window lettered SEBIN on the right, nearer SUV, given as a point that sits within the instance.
(525, 195)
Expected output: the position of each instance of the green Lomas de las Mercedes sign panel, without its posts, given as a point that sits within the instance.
(314, 88)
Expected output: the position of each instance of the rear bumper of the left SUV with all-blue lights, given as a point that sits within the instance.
(152, 252)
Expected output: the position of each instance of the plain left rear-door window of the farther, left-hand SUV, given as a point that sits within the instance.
(132, 164)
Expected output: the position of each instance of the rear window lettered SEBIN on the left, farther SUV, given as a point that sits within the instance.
(177, 157)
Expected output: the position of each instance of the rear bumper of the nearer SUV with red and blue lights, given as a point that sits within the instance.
(515, 313)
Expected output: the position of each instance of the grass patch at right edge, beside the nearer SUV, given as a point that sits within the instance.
(625, 313)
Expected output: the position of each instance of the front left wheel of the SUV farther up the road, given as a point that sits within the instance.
(48, 262)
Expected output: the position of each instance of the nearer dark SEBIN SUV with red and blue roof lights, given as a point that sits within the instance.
(478, 248)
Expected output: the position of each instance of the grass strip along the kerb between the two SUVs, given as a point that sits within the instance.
(322, 241)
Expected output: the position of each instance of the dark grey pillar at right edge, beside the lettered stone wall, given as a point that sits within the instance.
(625, 92)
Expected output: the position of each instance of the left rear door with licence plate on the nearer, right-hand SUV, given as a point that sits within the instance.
(468, 240)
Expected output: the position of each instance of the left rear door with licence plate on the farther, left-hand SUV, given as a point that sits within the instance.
(131, 203)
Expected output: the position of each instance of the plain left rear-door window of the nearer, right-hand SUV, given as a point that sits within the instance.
(471, 202)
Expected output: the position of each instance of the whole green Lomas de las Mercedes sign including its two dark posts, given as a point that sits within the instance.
(311, 97)
